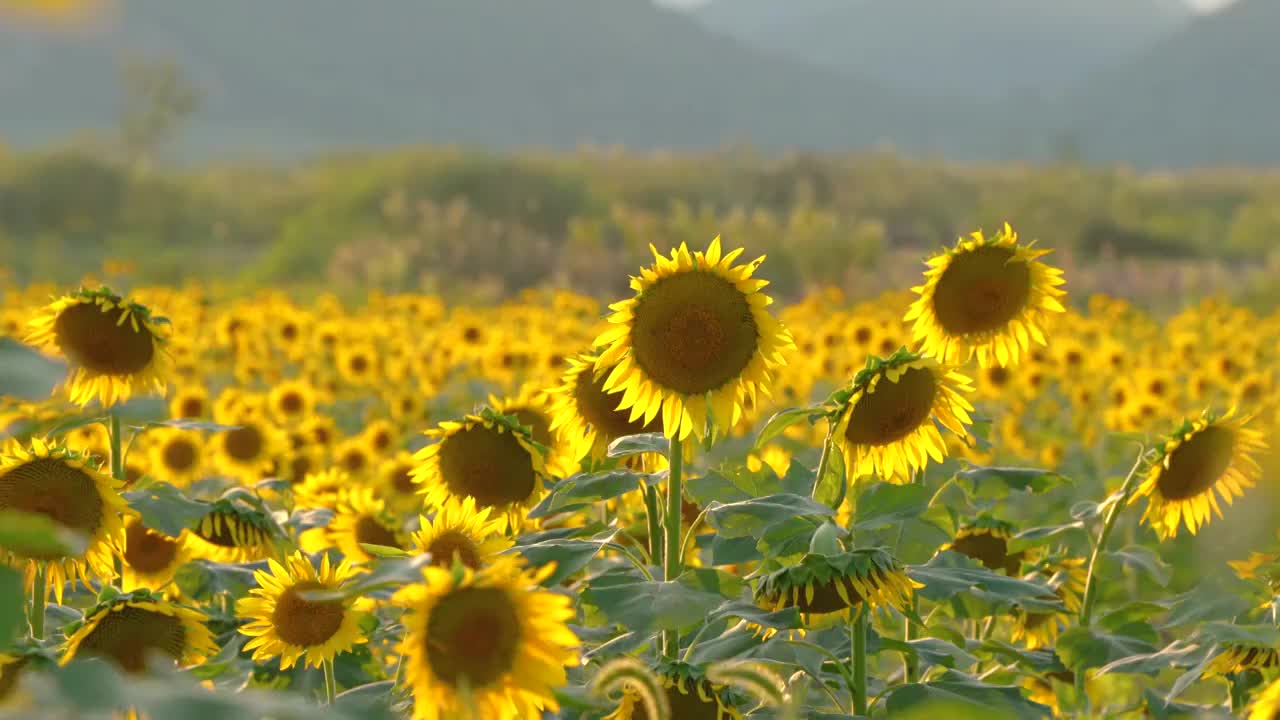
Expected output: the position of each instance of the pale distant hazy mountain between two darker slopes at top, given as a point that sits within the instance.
(985, 49)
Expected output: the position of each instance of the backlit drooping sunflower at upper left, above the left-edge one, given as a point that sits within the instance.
(115, 348)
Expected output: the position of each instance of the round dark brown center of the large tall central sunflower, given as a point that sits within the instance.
(693, 332)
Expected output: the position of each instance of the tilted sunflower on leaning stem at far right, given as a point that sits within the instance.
(1201, 461)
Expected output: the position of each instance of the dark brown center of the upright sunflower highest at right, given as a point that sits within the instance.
(982, 291)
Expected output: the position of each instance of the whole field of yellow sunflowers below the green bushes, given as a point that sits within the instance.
(975, 498)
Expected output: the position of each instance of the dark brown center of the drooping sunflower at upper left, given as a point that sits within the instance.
(97, 340)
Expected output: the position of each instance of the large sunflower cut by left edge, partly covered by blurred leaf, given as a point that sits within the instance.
(56, 482)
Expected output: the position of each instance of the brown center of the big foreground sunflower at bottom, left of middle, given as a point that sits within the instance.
(473, 634)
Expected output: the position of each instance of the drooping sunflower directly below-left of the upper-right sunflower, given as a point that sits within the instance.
(888, 420)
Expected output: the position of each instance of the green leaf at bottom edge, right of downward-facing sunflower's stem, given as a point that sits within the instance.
(957, 695)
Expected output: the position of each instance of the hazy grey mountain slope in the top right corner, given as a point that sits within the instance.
(1208, 95)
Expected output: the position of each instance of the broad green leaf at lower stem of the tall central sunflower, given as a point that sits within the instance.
(643, 605)
